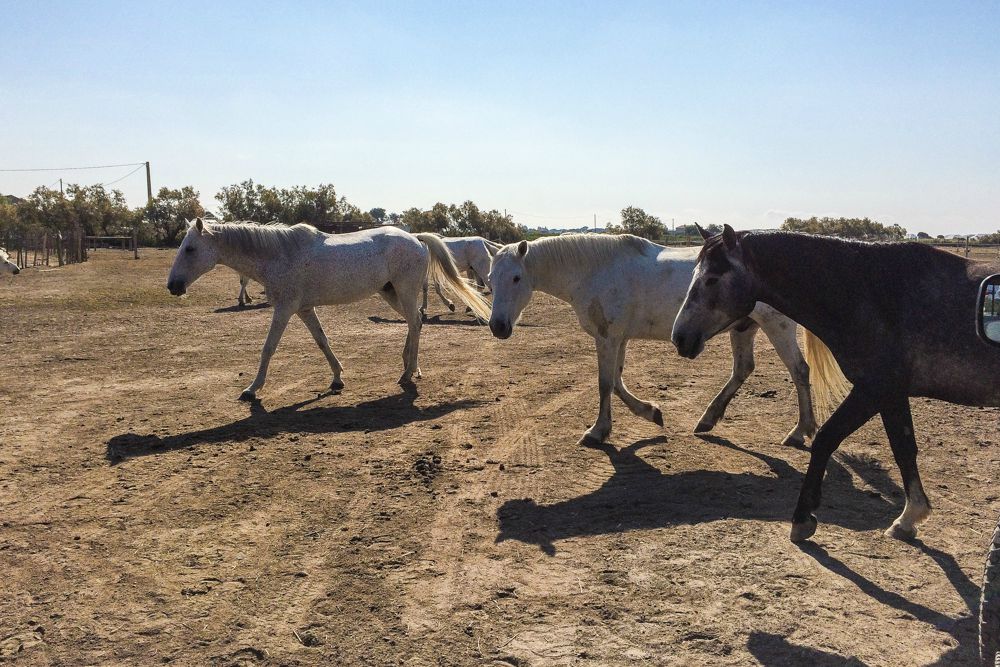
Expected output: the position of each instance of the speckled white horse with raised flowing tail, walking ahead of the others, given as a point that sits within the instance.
(301, 268)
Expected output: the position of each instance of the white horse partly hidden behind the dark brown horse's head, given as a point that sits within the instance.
(625, 287)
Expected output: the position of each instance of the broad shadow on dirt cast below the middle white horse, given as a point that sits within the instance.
(640, 496)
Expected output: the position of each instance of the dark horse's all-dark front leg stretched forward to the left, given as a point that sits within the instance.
(851, 415)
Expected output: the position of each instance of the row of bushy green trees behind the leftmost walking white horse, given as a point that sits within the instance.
(96, 211)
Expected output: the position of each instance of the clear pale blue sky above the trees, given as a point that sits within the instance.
(718, 112)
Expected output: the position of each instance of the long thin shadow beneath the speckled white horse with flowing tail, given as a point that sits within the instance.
(377, 415)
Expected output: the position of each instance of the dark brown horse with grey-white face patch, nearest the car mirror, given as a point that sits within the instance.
(895, 316)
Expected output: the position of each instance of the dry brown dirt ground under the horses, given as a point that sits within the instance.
(148, 517)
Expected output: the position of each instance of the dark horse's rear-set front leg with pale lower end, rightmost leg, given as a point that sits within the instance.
(898, 422)
